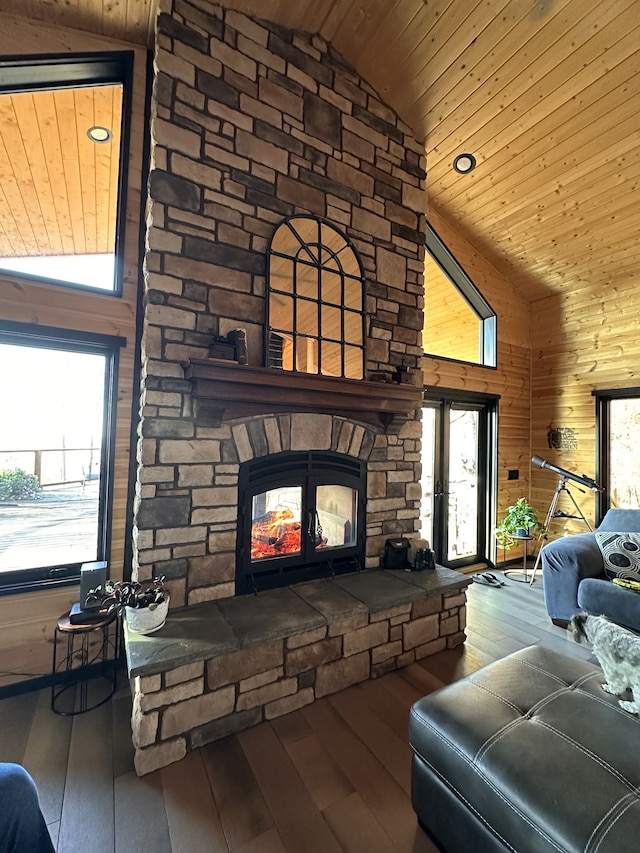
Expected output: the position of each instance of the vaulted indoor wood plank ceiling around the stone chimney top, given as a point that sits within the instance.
(544, 93)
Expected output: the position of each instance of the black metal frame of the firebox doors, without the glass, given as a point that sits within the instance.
(308, 469)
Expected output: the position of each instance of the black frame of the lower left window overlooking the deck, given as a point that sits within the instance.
(49, 337)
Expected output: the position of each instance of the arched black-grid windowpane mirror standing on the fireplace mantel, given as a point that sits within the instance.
(316, 300)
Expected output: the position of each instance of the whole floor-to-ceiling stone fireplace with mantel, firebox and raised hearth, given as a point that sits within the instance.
(252, 126)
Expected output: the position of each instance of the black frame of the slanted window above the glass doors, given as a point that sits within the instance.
(452, 269)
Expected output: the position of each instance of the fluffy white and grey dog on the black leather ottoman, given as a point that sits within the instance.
(618, 653)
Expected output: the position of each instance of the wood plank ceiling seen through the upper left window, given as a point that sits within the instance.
(44, 141)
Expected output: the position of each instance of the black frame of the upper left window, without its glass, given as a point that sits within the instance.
(44, 72)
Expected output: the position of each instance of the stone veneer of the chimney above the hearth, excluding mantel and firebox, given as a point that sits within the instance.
(252, 123)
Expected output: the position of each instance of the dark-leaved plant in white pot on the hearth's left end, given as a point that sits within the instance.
(145, 606)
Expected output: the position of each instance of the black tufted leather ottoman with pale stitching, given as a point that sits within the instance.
(528, 754)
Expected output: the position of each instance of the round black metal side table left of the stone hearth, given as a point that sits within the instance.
(85, 667)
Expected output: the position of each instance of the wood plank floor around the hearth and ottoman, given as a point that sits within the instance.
(332, 777)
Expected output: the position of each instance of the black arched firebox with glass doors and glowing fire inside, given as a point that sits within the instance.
(301, 517)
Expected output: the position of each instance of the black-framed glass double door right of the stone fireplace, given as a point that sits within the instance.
(457, 460)
